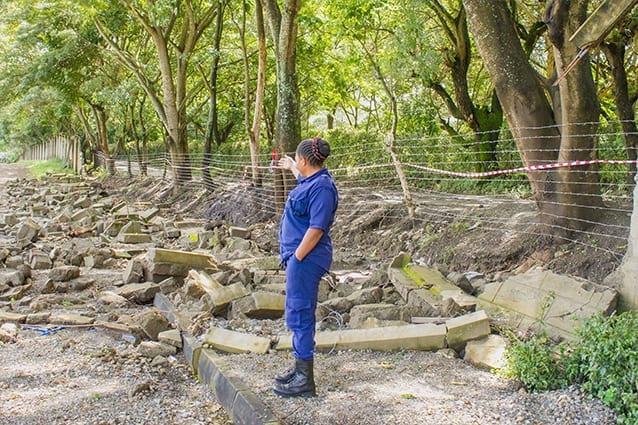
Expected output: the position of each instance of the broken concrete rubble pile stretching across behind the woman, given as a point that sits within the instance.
(74, 256)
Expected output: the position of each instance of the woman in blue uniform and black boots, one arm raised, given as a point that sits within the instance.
(305, 249)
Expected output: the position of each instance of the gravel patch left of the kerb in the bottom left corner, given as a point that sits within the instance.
(76, 376)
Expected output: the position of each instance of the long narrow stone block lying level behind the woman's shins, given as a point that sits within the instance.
(392, 338)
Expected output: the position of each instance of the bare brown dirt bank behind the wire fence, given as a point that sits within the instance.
(466, 233)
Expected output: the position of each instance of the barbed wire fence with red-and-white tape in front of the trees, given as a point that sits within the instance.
(448, 180)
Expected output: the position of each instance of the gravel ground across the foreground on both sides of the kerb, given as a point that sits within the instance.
(76, 376)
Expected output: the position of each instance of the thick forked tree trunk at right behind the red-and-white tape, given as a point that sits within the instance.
(567, 200)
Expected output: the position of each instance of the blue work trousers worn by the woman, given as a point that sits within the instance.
(302, 286)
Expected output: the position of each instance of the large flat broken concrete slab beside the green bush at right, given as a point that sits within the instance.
(537, 296)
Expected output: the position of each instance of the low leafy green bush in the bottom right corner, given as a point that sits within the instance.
(603, 359)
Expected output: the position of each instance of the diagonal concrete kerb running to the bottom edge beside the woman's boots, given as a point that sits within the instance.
(241, 404)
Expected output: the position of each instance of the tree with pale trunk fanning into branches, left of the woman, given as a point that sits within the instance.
(175, 27)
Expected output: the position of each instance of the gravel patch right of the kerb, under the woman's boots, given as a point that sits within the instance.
(411, 387)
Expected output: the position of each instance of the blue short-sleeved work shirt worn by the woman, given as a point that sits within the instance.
(313, 203)
